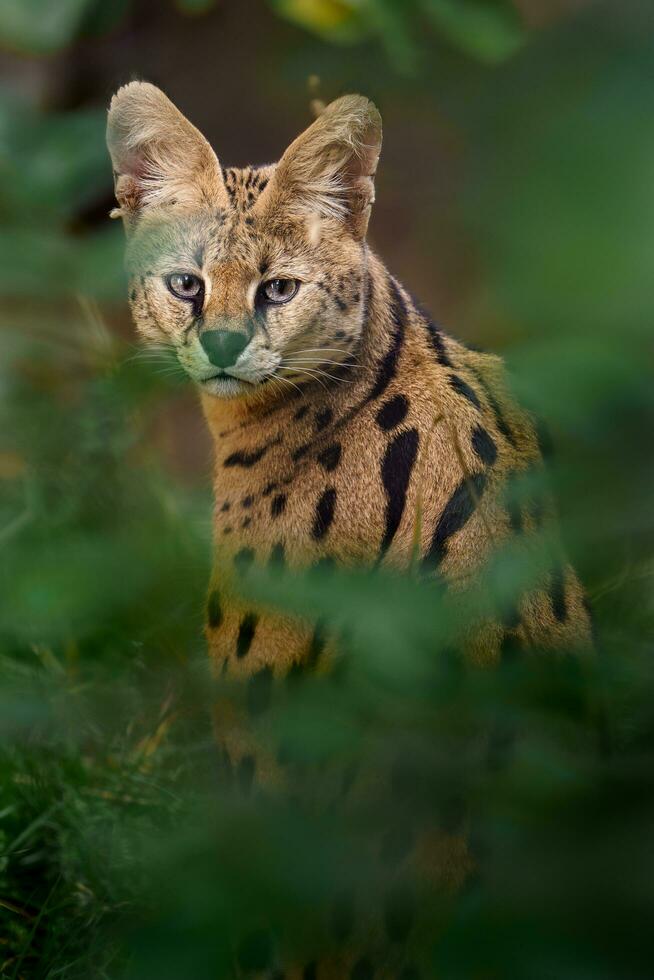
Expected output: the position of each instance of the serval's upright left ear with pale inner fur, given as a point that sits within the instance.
(158, 156)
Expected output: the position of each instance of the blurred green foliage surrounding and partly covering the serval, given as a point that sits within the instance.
(123, 852)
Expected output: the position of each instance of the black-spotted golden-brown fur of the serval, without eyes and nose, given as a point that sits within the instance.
(352, 430)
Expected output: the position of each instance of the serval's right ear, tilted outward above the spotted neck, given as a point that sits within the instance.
(329, 170)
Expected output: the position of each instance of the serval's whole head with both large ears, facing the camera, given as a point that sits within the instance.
(253, 277)
